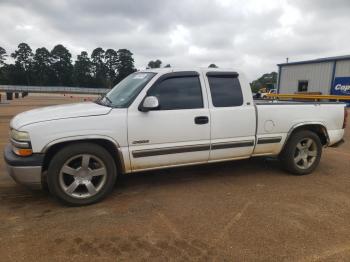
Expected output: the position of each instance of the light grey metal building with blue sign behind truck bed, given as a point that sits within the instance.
(329, 75)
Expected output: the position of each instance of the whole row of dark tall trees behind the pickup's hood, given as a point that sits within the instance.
(102, 69)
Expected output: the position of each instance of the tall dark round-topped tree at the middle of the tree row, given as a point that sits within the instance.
(62, 65)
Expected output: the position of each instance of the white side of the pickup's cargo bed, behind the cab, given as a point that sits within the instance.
(278, 118)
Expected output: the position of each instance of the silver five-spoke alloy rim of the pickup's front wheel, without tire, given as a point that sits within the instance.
(83, 176)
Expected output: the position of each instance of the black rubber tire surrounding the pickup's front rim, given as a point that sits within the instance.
(54, 177)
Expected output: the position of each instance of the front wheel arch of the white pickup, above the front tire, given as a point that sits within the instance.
(110, 145)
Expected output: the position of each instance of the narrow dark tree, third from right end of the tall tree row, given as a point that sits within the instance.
(99, 67)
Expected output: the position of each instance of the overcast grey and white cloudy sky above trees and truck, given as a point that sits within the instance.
(248, 35)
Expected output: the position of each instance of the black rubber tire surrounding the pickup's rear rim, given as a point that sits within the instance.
(291, 152)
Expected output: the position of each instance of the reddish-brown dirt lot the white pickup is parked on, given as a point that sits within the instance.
(240, 211)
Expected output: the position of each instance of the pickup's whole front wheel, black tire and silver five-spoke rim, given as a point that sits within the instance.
(81, 174)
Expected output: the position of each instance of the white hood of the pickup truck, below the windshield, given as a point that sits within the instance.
(58, 112)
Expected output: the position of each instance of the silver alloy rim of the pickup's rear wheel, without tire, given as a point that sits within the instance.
(305, 153)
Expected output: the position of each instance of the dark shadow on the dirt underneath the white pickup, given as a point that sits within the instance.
(14, 195)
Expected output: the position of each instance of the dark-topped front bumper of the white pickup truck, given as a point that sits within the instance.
(24, 170)
